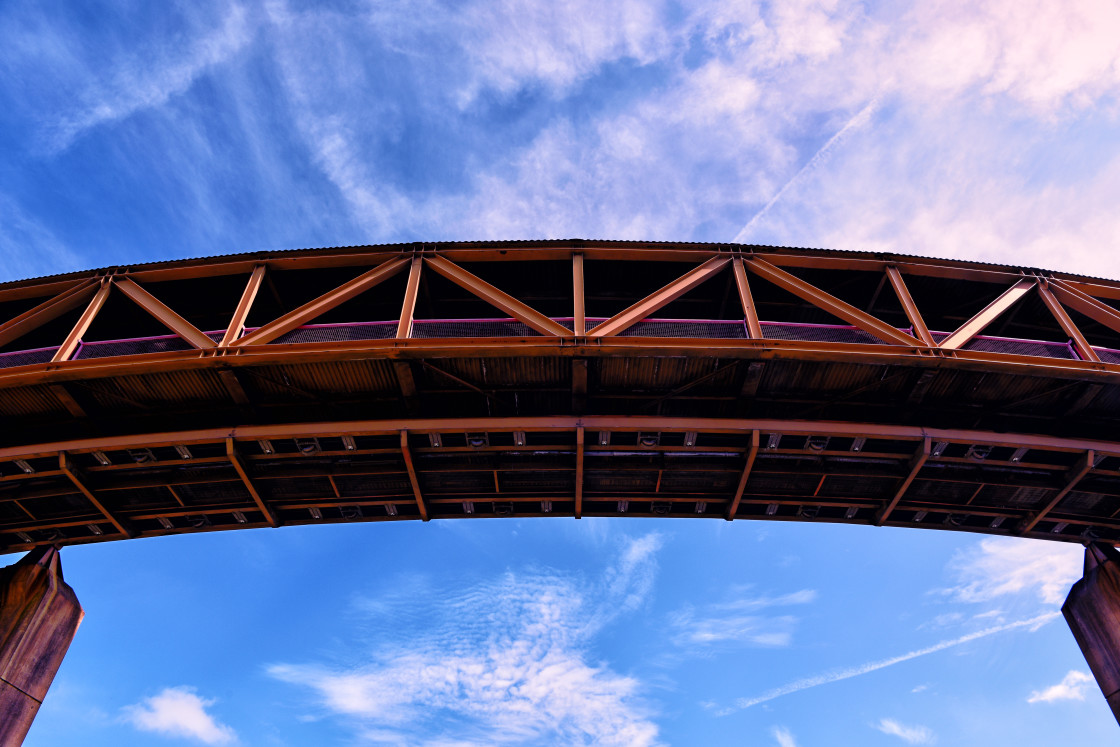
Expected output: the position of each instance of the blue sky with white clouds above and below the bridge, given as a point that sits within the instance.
(135, 132)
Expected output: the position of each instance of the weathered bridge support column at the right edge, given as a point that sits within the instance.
(1093, 610)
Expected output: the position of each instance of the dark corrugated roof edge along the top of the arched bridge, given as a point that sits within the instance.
(265, 255)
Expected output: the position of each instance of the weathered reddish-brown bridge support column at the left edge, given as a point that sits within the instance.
(40, 615)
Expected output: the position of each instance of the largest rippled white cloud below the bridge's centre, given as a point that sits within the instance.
(507, 662)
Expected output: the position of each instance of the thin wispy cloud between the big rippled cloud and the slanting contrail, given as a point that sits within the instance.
(739, 622)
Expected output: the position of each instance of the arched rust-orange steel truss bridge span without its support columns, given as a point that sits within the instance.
(558, 379)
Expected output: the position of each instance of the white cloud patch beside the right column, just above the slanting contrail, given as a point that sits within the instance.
(998, 567)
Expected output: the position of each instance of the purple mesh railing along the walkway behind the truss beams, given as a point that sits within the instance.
(446, 329)
